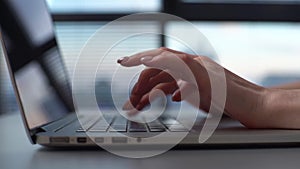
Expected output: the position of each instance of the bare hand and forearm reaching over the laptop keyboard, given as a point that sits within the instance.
(253, 105)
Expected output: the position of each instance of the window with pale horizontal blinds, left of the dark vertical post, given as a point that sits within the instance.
(71, 37)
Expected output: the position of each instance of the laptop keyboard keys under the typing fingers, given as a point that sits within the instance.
(121, 124)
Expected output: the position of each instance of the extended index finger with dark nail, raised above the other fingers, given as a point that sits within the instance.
(134, 60)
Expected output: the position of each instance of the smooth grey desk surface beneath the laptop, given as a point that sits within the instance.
(17, 153)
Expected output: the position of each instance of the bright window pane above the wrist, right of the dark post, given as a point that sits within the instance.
(264, 53)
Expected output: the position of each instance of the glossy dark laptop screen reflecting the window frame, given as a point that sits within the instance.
(34, 61)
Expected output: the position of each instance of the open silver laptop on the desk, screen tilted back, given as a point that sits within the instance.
(43, 91)
